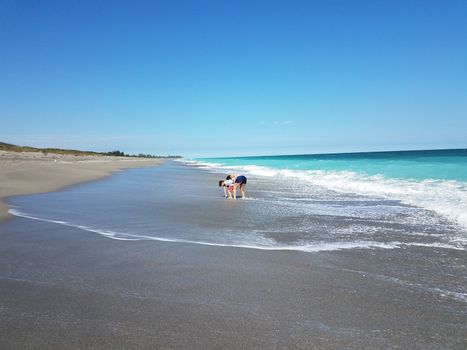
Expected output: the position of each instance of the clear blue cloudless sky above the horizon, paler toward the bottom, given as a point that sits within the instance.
(217, 78)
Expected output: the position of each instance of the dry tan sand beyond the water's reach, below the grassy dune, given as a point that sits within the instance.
(35, 172)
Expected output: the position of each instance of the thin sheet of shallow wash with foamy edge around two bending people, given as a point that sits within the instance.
(408, 245)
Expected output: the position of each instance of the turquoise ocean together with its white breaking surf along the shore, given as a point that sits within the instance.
(435, 180)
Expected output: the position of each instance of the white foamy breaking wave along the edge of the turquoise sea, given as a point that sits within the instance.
(445, 197)
